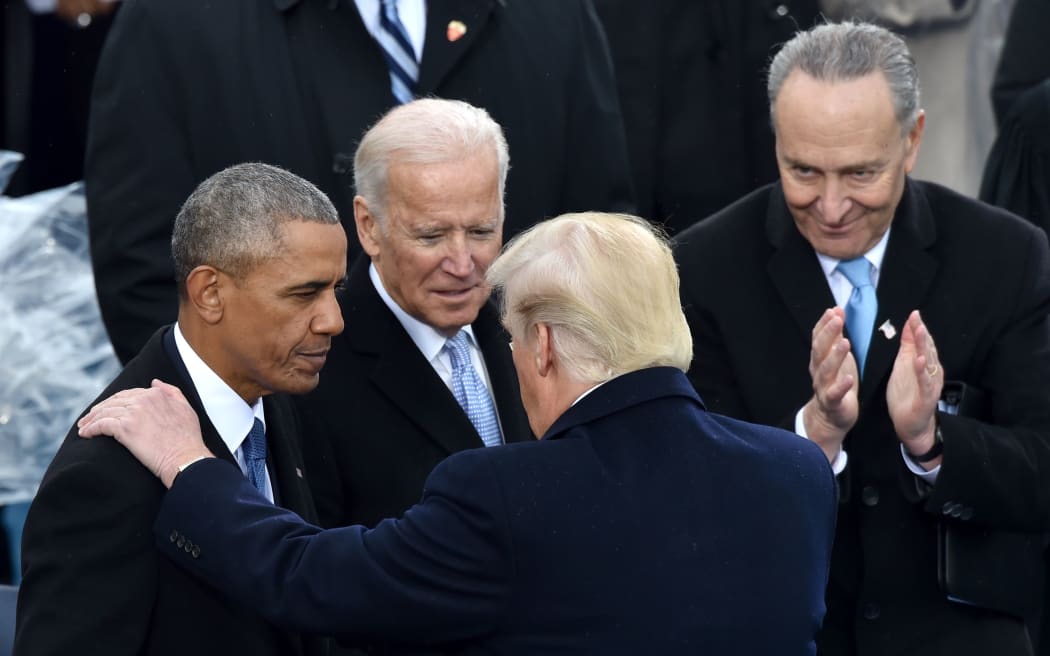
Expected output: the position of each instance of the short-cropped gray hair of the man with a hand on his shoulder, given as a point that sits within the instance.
(233, 221)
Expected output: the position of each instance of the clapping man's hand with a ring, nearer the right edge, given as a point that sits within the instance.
(915, 388)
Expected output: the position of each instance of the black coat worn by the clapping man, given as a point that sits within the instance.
(981, 279)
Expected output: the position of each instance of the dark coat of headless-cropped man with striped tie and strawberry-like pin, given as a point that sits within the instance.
(187, 89)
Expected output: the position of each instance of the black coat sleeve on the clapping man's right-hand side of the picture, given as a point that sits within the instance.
(997, 467)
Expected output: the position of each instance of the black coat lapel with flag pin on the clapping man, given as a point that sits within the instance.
(905, 280)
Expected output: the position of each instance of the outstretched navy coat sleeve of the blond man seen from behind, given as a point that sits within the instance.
(439, 575)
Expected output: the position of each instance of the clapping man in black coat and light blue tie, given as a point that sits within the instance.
(904, 328)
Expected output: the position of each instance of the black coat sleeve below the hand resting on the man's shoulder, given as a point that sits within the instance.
(89, 564)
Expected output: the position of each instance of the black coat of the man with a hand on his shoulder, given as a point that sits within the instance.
(93, 581)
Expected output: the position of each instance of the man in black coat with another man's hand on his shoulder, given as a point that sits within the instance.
(259, 253)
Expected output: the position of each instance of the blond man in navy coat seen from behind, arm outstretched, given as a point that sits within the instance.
(640, 523)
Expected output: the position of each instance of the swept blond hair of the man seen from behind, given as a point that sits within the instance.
(606, 285)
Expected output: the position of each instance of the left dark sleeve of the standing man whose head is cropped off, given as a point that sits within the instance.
(138, 173)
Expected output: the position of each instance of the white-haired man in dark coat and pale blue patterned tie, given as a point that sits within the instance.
(430, 214)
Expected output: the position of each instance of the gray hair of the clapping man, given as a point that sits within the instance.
(849, 51)
